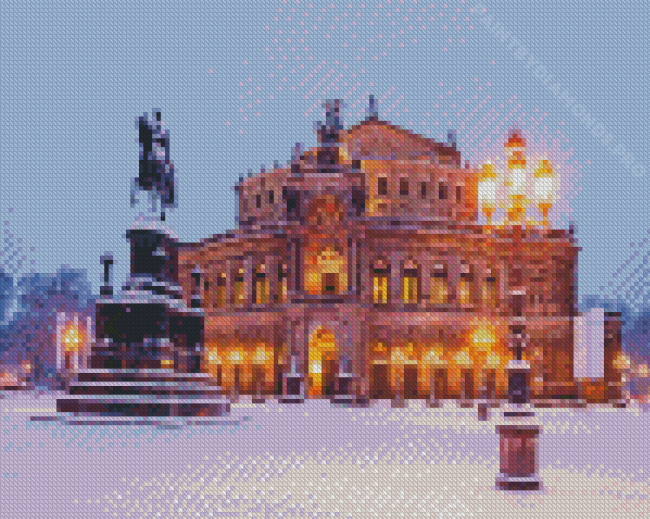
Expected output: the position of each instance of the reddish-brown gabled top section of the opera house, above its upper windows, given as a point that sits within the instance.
(373, 139)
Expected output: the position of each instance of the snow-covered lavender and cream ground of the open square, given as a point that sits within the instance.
(317, 460)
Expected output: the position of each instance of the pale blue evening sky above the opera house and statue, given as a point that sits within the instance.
(75, 75)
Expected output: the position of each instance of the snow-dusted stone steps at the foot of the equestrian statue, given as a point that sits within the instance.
(158, 393)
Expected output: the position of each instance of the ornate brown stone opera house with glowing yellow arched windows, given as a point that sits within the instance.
(360, 271)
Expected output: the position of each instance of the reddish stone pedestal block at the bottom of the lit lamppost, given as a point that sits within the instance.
(518, 455)
